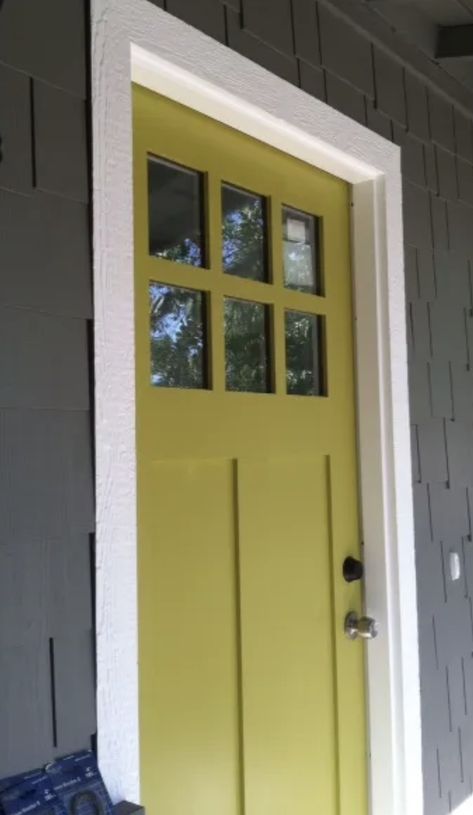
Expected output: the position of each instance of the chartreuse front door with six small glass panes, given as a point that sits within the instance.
(251, 696)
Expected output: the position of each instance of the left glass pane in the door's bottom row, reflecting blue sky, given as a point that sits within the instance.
(178, 337)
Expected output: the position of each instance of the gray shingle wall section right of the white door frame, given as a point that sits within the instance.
(313, 46)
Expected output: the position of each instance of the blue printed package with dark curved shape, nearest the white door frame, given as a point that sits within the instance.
(77, 782)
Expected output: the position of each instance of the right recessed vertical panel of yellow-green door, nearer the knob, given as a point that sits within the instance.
(287, 648)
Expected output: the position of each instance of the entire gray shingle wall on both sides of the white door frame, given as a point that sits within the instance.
(45, 309)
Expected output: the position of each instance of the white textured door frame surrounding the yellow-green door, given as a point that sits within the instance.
(134, 39)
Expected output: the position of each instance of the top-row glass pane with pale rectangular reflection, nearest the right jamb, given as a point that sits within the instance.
(300, 248)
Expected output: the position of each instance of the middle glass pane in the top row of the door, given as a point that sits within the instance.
(244, 233)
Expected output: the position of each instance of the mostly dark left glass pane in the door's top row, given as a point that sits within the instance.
(176, 218)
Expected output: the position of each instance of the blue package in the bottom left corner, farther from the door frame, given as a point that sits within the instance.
(33, 795)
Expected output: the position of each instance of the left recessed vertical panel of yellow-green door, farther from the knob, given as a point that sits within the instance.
(188, 627)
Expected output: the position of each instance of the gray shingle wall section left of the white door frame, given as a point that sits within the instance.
(46, 495)
